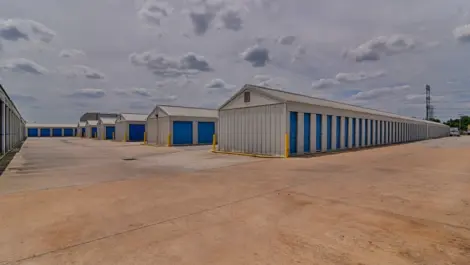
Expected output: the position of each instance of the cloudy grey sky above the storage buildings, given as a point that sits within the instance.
(59, 59)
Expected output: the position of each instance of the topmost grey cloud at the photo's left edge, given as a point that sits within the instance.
(24, 29)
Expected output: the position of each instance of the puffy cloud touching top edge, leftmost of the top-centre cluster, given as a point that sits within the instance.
(152, 12)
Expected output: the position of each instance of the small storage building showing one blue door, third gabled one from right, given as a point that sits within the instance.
(130, 127)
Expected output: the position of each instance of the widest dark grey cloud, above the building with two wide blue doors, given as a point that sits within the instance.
(161, 64)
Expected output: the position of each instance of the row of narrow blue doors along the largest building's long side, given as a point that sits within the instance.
(348, 122)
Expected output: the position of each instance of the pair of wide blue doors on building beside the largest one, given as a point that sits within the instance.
(183, 132)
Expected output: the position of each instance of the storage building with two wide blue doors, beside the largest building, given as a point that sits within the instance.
(175, 125)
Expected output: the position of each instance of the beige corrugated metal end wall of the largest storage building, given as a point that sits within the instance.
(255, 130)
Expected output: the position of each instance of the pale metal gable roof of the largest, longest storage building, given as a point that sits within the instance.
(284, 96)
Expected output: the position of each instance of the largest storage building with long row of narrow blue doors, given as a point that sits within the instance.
(264, 121)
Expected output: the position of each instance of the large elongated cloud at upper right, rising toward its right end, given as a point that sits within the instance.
(372, 50)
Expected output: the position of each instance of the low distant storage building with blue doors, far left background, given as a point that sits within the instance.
(50, 130)
